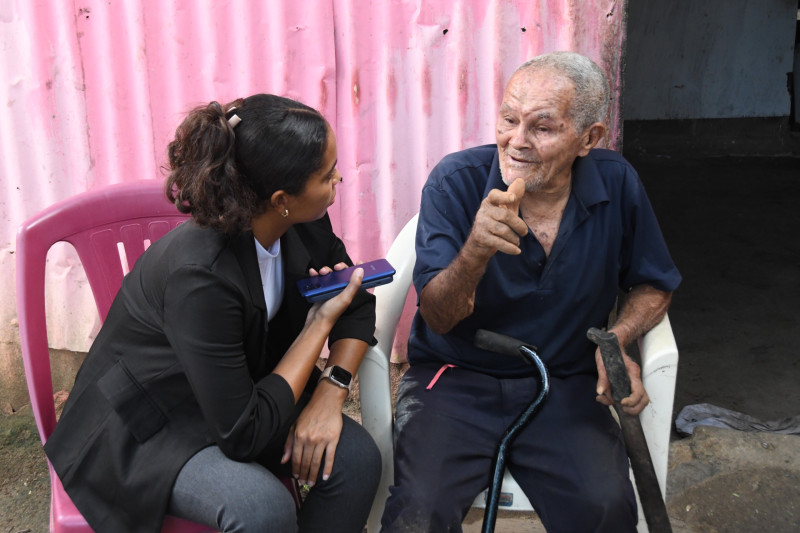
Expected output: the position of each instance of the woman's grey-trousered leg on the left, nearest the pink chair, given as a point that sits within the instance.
(235, 497)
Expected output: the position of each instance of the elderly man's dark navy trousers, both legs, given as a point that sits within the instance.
(570, 460)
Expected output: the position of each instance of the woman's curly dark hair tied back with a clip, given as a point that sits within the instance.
(224, 175)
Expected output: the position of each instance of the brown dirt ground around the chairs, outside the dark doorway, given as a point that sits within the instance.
(720, 481)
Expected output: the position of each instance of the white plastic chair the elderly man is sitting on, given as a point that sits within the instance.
(659, 370)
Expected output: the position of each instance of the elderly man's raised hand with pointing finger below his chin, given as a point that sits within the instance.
(498, 226)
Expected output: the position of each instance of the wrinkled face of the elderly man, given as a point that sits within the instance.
(536, 139)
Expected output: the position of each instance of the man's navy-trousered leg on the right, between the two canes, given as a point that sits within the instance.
(571, 461)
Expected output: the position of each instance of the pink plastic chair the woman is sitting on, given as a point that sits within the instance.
(99, 224)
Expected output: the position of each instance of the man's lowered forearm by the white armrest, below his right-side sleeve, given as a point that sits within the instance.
(642, 310)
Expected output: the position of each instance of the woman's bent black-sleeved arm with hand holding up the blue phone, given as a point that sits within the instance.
(203, 322)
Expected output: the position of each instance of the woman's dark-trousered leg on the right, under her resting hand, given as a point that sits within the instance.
(342, 503)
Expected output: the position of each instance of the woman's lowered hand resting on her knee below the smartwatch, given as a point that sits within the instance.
(316, 433)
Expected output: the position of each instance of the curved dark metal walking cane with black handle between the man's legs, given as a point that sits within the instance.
(502, 344)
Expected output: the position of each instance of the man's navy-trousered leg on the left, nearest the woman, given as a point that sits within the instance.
(445, 438)
